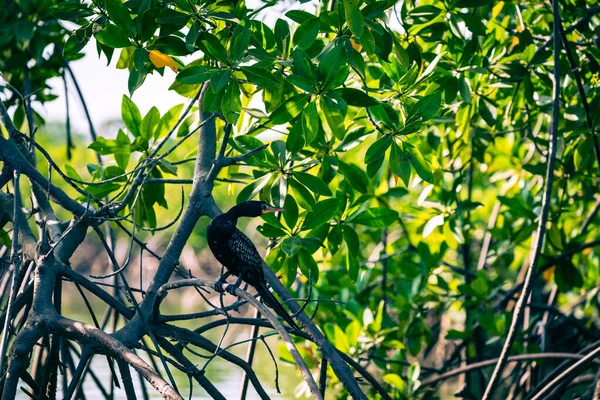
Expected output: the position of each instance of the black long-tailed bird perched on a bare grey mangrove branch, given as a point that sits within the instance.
(237, 253)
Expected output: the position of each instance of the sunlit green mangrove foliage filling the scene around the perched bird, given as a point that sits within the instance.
(407, 141)
